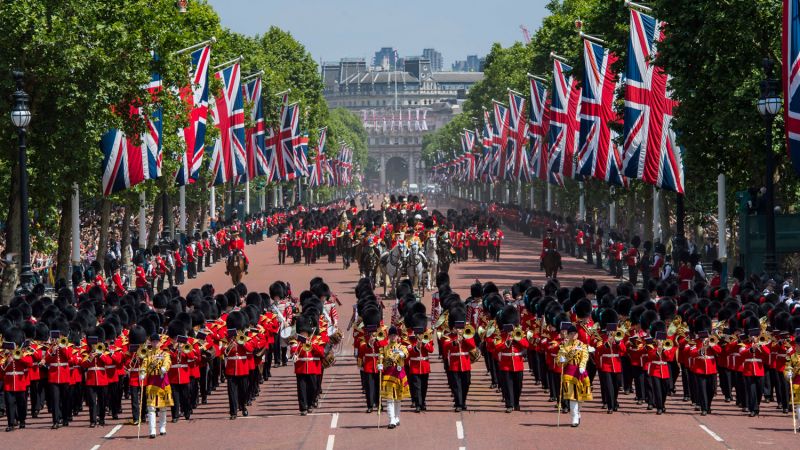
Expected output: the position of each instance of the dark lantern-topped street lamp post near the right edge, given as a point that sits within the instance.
(768, 106)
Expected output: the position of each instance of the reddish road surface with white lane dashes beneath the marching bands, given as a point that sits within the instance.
(341, 422)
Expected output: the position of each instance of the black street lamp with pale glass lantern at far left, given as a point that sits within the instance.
(21, 117)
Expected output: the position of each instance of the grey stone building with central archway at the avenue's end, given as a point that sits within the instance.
(397, 107)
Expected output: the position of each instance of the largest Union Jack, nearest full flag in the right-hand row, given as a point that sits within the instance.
(650, 150)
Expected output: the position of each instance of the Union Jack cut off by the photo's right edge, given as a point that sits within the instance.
(791, 78)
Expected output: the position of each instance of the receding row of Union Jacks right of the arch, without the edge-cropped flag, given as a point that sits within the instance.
(567, 133)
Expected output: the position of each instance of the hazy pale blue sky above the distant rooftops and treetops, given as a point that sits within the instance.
(332, 29)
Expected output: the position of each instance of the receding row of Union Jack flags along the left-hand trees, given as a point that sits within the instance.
(239, 154)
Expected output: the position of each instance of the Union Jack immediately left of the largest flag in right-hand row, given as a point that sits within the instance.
(599, 155)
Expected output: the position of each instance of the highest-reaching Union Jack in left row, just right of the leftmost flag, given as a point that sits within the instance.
(196, 96)
